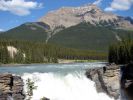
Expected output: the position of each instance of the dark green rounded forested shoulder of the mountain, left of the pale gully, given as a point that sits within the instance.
(36, 31)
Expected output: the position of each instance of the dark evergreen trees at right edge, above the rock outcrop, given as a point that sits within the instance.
(121, 52)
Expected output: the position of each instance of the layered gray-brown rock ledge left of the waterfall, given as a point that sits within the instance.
(11, 87)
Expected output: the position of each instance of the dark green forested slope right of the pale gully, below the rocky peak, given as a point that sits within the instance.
(87, 36)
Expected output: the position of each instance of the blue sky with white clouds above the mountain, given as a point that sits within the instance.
(16, 12)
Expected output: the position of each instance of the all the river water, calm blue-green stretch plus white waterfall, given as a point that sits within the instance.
(60, 81)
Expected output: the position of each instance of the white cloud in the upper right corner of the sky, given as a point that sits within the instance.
(120, 5)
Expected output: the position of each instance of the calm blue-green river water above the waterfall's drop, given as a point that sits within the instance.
(45, 68)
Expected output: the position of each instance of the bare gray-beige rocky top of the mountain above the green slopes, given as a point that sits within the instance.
(71, 16)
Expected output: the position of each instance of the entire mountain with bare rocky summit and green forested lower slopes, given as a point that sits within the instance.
(86, 27)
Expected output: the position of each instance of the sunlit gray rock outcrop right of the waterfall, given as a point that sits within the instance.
(106, 79)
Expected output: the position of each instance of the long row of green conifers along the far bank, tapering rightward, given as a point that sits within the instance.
(38, 52)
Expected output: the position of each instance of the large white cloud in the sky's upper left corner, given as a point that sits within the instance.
(19, 7)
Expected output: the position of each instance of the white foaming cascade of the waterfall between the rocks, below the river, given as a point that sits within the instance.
(72, 86)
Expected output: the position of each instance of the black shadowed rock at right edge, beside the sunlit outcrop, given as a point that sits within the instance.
(127, 81)
